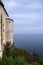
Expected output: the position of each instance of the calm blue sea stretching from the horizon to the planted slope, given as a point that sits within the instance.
(31, 42)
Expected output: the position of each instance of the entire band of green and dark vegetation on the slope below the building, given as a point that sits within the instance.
(18, 56)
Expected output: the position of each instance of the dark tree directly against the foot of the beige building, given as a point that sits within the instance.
(8, 50)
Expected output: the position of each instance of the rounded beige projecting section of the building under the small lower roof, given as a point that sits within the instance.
(9, 30)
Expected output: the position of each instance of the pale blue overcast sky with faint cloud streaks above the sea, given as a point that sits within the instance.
(27, 15)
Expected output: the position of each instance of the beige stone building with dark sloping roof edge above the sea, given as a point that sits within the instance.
(6, 28)
